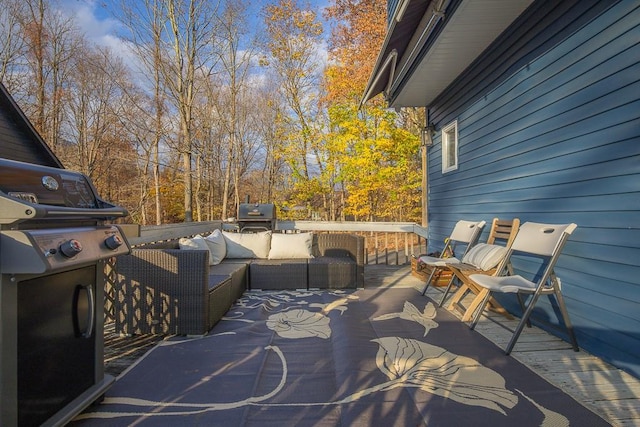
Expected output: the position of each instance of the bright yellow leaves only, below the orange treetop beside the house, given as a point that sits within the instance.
(378, 164)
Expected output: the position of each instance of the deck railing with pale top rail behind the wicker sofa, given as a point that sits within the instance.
(386, 242)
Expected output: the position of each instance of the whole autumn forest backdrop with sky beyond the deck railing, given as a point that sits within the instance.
(209, 104)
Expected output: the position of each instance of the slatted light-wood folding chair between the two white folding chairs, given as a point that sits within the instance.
(503, 232)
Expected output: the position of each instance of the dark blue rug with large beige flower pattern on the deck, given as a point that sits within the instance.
(369, 357)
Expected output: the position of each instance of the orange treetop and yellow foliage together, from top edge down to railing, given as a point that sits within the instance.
(376, 153)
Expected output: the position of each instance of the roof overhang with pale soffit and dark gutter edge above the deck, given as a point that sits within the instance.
(429, 45)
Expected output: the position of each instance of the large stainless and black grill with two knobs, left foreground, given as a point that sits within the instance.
(54, 243)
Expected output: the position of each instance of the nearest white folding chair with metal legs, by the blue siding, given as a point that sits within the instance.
(540, 241)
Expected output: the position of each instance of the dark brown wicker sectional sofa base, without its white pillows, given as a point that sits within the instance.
(160, 288)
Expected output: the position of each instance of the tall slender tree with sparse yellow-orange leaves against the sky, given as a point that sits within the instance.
(293, 35)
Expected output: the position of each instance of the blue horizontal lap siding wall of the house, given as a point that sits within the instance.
(553, 135)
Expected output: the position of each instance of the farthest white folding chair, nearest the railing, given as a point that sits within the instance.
(464, 232)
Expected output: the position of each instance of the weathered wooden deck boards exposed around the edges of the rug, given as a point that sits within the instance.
(606, 390)
